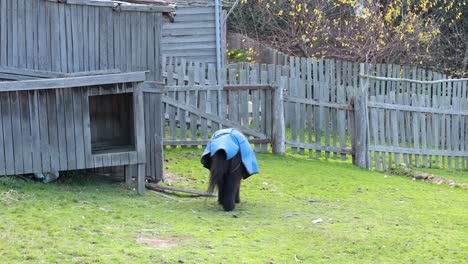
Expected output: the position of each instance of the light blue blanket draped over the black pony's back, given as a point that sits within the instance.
(231, 141)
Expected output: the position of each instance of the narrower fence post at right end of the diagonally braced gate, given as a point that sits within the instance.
(278, 142)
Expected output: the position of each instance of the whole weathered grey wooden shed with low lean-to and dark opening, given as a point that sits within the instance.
(78, 86)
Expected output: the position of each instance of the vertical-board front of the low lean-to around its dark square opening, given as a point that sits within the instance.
(50, 129)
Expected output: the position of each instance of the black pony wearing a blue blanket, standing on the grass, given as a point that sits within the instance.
(230, 159)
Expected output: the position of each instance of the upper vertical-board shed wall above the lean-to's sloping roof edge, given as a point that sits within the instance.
(60, 37)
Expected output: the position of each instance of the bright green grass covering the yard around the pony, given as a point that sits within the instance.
(368, 217)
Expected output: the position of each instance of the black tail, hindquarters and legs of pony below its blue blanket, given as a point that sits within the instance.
(226, 176)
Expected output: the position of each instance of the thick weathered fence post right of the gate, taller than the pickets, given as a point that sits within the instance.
(361, 121)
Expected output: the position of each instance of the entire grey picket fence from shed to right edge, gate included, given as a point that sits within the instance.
(380, 115)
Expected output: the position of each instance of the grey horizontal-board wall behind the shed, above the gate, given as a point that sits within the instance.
(192, 35)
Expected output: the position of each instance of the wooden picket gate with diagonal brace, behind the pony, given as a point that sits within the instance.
(195, 106)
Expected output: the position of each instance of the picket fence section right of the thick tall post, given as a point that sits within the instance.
(418, 122)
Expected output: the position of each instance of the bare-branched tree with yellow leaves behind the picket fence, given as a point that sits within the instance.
(377, 31)
